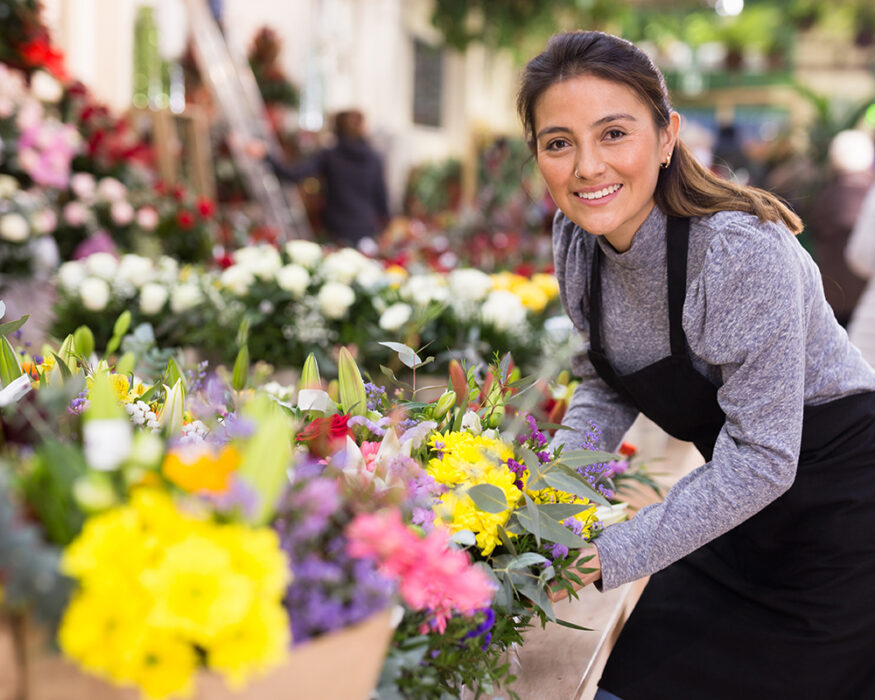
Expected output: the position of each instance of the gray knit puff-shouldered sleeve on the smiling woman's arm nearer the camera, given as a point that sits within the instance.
(746, 314)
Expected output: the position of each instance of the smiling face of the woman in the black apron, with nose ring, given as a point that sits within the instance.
(605, 132)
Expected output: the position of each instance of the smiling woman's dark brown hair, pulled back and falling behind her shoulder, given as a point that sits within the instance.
(686, 187)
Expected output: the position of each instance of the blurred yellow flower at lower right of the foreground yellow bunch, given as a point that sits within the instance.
(259, 642)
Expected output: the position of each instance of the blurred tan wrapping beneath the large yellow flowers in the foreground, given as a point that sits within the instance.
(343, 665)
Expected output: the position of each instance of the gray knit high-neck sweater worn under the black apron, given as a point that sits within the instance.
(757, 325)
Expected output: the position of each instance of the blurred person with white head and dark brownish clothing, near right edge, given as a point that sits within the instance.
(833, 214)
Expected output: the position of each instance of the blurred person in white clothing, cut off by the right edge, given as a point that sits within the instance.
(860, 257)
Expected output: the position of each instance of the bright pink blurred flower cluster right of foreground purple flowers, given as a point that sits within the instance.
(431, 574)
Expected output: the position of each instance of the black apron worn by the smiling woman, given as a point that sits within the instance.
(782, 606)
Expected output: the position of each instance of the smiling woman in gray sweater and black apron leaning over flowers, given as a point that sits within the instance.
(703, 312)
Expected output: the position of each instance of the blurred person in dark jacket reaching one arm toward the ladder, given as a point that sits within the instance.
(351, 172)
